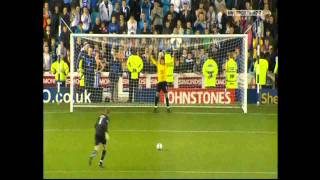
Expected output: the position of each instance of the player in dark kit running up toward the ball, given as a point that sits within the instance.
(101, 137)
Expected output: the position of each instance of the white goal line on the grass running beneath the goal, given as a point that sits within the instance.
(195, 113)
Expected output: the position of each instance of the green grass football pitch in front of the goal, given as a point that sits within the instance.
(197, 143)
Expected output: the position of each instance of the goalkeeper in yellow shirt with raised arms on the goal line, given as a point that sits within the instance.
(162, 80)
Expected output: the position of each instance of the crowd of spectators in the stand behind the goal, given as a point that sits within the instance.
(156, 17)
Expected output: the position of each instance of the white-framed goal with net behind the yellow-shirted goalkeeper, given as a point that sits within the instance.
(198, 70)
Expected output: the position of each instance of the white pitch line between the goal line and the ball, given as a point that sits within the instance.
(166, 131)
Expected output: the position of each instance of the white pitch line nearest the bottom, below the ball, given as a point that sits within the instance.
(154, 171)
